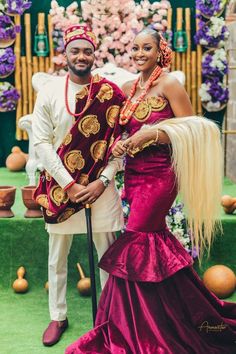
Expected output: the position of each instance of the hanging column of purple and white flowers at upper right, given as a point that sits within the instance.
(212, 34)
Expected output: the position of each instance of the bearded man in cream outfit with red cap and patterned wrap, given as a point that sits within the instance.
(73, 127)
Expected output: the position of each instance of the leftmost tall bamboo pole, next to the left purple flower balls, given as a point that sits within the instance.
(19, 132)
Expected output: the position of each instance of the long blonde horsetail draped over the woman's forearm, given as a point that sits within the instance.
(197, 162)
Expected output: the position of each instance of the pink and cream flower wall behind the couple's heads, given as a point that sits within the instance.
(115, 23)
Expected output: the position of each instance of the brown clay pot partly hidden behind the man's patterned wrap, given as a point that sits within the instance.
(33, 208)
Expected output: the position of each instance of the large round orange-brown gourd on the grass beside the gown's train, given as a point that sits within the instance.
(220, 280)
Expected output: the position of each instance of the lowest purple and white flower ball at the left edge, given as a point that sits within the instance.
(8, 97)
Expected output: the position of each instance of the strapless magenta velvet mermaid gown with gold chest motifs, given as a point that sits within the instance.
(154, 302)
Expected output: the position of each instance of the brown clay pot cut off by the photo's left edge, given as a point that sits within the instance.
(7, 198)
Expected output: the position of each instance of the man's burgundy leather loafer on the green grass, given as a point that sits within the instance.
(54, 331)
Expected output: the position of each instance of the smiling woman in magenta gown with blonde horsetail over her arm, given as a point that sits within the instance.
(153, 301)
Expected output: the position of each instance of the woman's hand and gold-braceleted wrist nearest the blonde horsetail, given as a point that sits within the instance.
(139, 141)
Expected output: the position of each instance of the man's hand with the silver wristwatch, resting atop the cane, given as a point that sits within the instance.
(90, 193)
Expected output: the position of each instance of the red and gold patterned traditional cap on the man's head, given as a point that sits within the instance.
(76, 32)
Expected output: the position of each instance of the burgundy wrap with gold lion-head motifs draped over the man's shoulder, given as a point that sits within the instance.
(85, 149)
